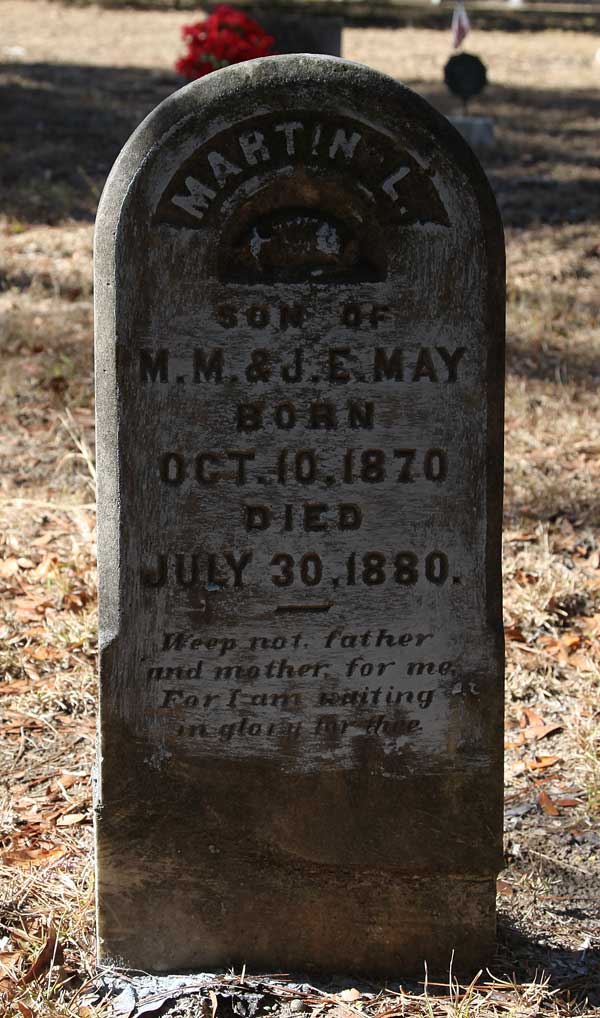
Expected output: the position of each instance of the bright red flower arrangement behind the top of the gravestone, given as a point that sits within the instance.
(226, 37)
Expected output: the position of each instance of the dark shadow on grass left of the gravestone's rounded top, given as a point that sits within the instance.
(62, 129)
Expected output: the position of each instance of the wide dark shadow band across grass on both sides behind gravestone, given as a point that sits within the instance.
(64, 126)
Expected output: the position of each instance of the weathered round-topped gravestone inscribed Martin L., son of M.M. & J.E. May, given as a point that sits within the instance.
(300, 322)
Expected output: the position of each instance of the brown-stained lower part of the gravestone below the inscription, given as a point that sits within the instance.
(207, 879)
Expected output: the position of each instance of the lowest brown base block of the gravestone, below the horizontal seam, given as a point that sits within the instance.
(364, 924)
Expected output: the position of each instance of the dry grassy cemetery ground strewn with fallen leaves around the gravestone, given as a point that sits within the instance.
(74, 84)
